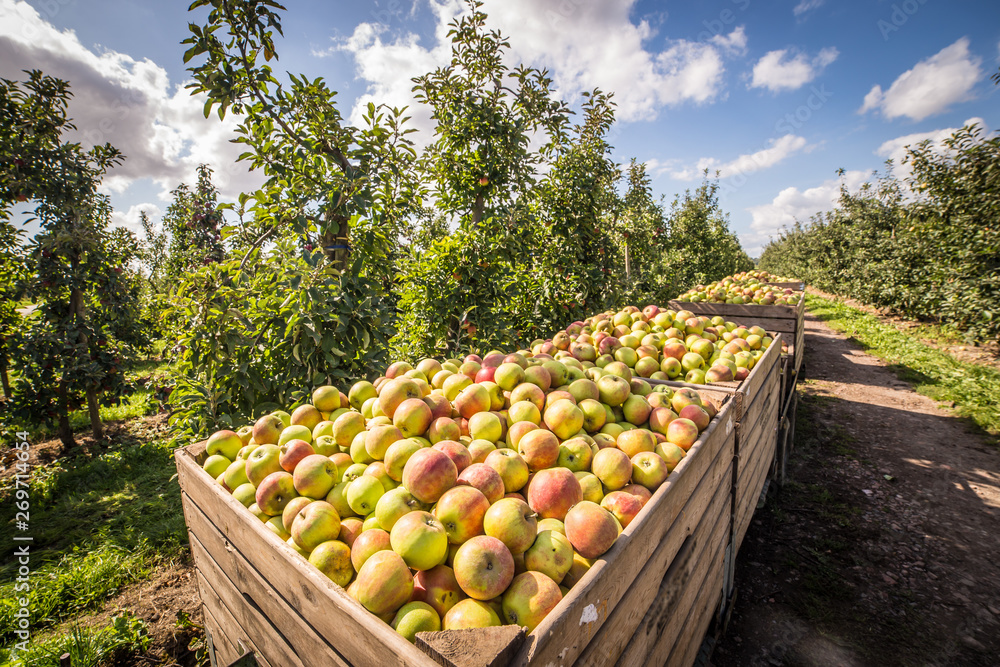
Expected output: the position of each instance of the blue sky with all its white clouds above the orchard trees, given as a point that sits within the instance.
(776, 95)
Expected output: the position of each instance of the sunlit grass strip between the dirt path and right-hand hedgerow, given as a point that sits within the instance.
(974, 389)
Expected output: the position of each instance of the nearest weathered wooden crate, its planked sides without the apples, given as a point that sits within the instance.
(257, 590)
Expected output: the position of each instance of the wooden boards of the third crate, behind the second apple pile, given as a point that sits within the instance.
(787, 320)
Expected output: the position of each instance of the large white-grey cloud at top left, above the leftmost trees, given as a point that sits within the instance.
(130, 103)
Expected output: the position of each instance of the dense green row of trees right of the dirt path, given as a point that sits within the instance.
(931, 253)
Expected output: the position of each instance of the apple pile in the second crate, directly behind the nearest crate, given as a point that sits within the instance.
(661, 344)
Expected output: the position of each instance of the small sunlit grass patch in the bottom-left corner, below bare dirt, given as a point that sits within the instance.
(87, 647)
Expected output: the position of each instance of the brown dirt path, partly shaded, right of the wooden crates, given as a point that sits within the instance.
(884, 547)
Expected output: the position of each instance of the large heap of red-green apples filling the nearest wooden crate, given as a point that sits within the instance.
(469, 493)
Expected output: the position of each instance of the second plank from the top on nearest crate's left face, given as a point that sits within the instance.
(206, 545)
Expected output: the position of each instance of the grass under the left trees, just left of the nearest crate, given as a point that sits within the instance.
(98, 525)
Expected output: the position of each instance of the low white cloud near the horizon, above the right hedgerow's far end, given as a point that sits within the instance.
(792, 204)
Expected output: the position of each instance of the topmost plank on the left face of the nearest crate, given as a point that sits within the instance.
(361, 638)
